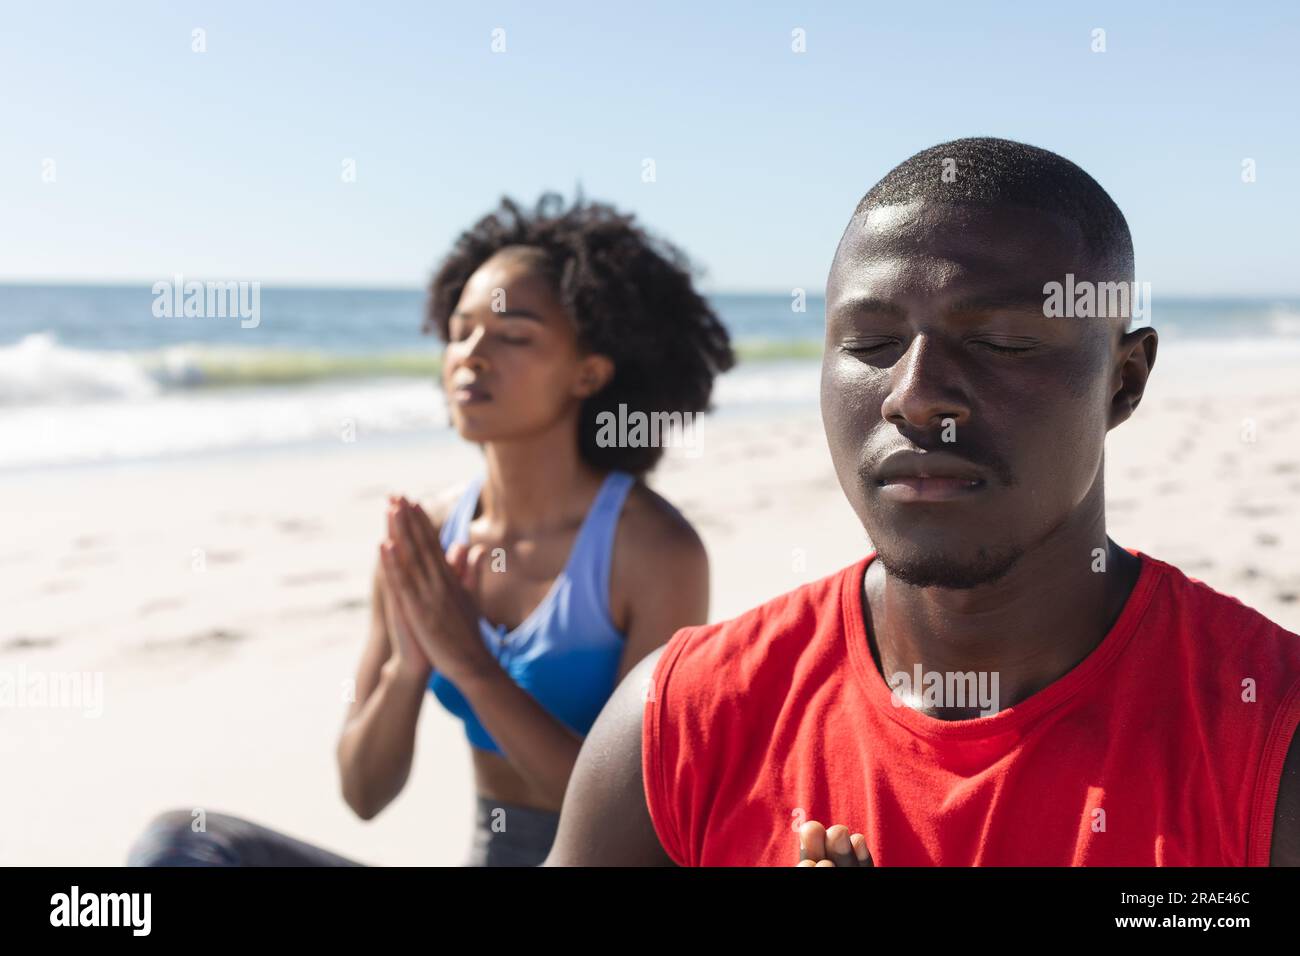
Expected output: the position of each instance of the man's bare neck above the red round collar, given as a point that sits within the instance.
(1029, 629)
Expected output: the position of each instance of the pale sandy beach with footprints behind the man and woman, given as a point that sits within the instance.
(224, 600)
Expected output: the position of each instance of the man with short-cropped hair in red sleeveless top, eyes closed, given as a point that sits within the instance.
(1141, 717)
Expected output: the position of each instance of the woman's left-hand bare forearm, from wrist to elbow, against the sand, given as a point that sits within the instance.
(376, 749)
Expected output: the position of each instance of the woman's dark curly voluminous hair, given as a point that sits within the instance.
(631, 299)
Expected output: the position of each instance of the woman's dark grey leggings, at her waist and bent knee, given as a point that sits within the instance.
(504, 836)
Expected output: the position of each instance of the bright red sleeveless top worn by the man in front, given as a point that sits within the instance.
(1164, 747)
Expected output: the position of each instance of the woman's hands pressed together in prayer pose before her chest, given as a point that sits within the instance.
(430, 609)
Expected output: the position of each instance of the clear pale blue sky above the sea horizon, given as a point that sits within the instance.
(227, 165)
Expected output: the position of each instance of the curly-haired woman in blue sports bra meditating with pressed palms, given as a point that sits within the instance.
(523, 599)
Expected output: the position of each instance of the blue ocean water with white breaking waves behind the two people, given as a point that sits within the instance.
(90, 374)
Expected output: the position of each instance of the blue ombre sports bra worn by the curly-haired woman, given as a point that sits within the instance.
(567, 652)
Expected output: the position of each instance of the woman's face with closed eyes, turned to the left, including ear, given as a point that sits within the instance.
(513, 367)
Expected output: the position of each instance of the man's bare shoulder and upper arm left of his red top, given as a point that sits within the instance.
(605, 820)
